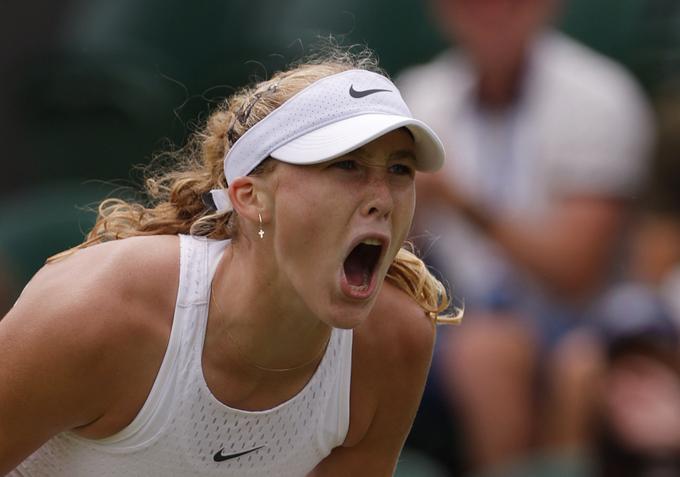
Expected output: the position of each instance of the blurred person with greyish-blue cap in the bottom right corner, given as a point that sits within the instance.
(639, 395)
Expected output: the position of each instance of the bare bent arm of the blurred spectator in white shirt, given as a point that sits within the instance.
(568, 251)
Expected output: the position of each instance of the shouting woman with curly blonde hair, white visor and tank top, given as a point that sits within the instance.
(239, 325)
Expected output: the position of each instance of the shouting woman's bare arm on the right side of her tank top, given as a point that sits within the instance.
(392, 358)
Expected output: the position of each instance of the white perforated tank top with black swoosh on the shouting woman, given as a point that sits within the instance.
(183, 430)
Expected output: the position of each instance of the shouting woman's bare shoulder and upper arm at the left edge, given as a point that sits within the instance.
(86, 331)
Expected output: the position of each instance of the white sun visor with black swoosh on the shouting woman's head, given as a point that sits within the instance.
(331, 117)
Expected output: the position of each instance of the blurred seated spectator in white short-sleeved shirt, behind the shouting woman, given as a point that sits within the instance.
(547, 144)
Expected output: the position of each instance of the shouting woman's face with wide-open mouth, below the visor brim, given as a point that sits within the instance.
(337, 226)
